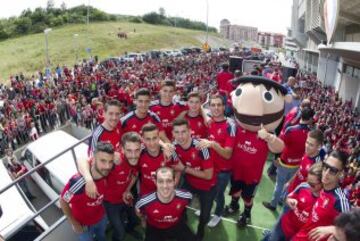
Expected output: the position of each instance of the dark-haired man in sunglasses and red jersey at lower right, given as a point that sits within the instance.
(331, 202)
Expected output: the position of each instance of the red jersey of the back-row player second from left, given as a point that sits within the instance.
(130, 122)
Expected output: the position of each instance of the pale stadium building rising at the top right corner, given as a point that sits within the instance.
(337, 62)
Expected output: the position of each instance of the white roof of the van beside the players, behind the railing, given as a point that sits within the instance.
(52, 144)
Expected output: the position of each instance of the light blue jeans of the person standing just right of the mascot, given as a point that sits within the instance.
(283, 175)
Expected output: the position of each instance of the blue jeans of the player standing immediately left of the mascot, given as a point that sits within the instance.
(223, 179)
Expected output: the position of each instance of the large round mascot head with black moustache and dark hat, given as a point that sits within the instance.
(258, 101)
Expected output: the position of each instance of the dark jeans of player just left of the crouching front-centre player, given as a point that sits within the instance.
(117, 214)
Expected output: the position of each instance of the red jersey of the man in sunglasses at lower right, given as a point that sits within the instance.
(326, 208)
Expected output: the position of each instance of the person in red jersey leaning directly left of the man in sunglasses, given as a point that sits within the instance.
(300, 201)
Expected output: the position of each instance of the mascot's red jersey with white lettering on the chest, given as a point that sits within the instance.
(249, 156)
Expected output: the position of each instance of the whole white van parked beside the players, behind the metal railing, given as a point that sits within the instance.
(52, 177)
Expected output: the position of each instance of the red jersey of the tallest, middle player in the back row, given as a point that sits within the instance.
(167, 114)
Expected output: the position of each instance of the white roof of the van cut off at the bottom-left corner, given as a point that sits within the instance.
(15, 210)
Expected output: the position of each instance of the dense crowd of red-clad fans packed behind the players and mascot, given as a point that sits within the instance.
(32, 107)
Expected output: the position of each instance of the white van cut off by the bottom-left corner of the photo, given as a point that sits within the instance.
(16, 212)
